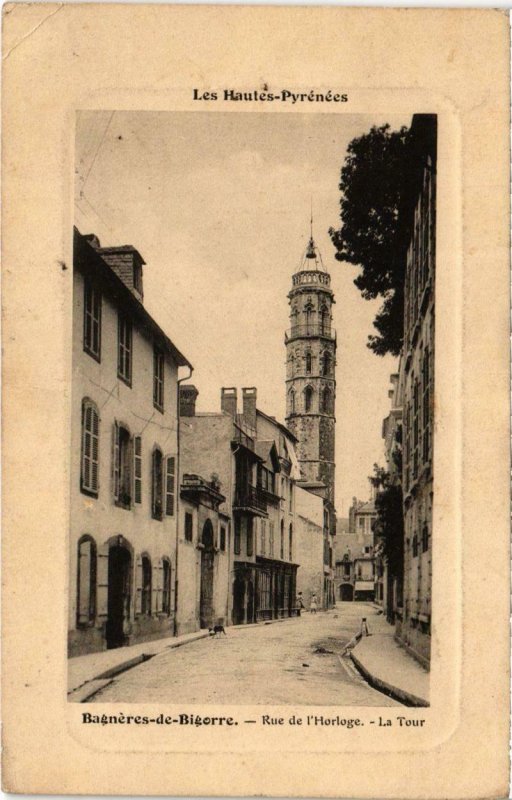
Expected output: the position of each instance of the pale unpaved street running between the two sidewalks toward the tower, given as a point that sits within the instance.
(259, 664)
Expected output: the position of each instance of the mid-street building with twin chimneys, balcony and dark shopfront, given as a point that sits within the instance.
(252, 459)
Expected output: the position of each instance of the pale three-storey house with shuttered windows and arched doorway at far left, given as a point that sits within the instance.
(124, 456)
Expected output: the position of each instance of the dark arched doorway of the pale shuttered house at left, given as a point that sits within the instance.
(119, 574)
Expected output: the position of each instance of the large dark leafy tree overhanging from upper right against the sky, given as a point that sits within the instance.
(373, 181)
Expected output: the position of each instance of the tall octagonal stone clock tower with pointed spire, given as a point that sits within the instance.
(311, 390)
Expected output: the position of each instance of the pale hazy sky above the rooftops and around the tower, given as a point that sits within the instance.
(218, 204)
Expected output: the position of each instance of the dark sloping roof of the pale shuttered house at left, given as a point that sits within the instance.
(89, 262)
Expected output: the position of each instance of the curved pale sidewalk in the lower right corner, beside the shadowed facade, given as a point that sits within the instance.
(388, 667)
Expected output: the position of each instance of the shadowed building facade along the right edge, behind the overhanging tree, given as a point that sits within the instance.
(419, 223)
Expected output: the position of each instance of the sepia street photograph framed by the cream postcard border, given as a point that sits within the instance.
(252, 408)
